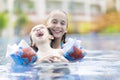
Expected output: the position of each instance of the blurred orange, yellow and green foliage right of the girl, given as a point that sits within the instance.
(105, 23)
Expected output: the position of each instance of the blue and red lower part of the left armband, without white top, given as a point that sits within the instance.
(24, 56)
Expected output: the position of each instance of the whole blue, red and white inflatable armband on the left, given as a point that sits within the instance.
(21, 54)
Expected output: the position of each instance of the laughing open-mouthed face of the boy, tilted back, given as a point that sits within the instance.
(39, 33)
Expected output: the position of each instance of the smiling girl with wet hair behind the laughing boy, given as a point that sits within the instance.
(57, 22)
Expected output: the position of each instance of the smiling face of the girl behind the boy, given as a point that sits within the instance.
(57, 23)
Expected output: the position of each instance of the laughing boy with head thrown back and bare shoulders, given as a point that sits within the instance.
(41, 38)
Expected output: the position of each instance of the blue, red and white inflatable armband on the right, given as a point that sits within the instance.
(73, 51)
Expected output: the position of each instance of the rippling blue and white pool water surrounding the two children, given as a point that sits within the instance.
(100, 63)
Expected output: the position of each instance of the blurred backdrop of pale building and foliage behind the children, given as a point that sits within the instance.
(85, 16)
